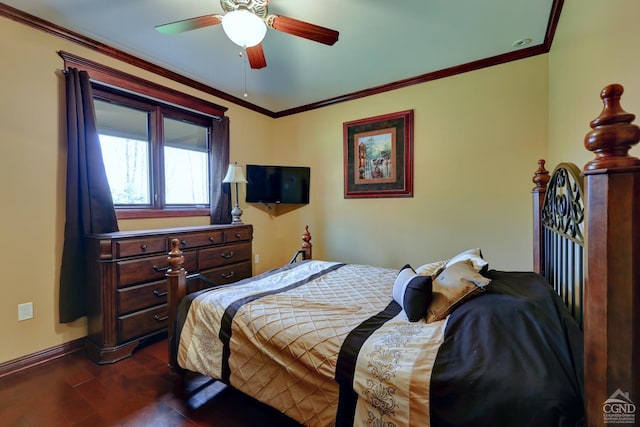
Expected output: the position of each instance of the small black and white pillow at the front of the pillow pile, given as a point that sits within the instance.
(412, 292)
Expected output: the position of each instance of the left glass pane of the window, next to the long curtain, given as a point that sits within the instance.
(125, 151)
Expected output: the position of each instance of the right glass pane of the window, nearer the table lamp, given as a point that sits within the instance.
(186, 163)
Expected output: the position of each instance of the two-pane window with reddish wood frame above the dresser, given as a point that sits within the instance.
(158, 157)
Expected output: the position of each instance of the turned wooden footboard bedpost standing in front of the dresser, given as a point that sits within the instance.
(176, 290)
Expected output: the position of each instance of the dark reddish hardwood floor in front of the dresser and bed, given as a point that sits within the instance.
(138, 391)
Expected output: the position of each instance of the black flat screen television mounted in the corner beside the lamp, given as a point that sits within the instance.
(277, 184)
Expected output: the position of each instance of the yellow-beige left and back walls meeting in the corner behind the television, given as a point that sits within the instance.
(477, 139)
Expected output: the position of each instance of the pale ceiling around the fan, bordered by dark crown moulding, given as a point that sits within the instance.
(381, 41)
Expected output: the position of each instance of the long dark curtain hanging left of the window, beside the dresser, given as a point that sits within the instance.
(89, 204)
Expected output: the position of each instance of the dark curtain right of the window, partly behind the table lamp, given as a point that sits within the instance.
(220, 193)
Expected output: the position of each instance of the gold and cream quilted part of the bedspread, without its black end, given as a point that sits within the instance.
(279, 339)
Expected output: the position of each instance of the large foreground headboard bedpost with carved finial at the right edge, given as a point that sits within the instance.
(612, 288)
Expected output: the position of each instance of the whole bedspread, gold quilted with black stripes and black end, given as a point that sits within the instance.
(326, 344)
